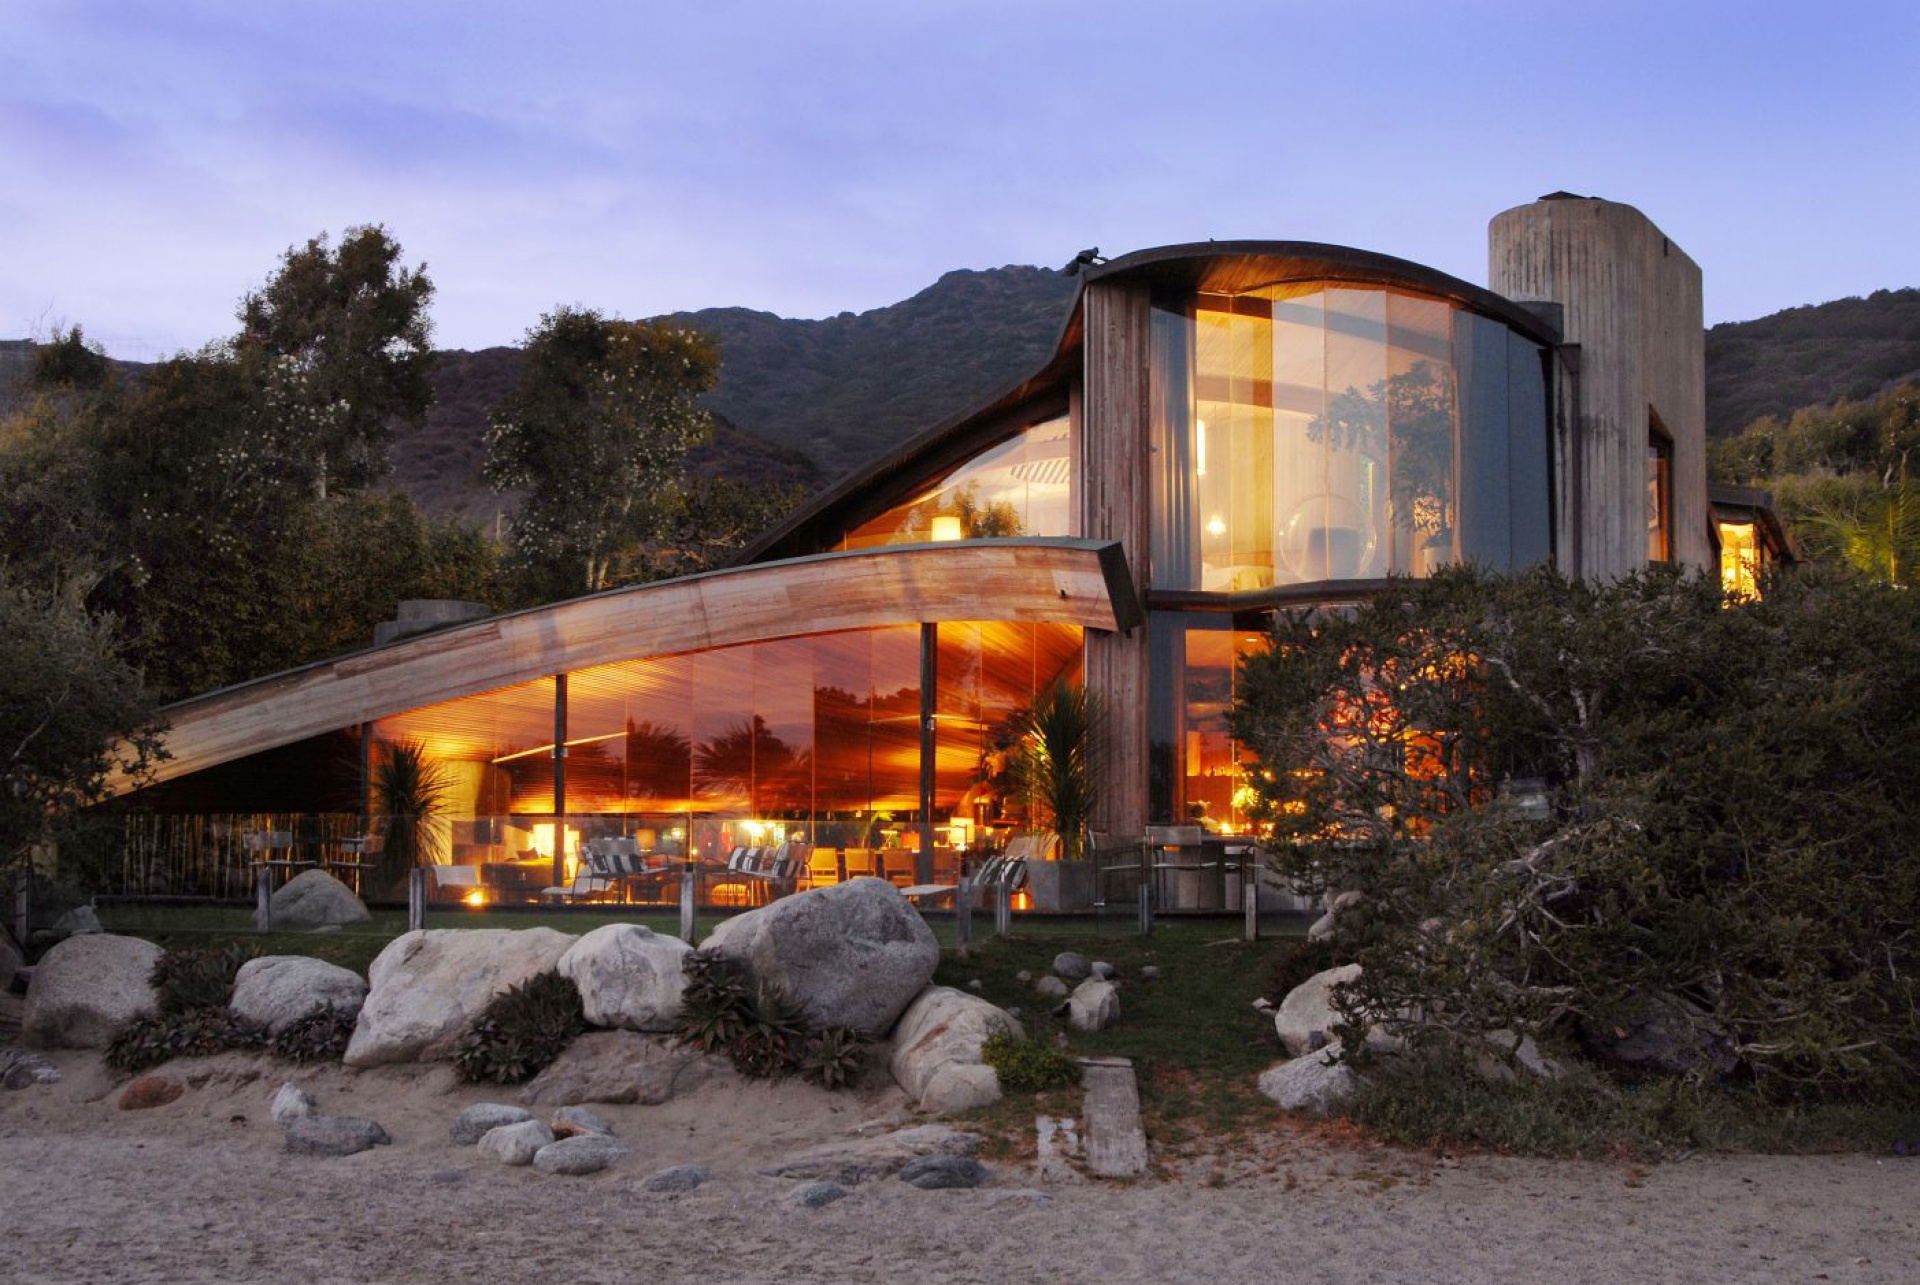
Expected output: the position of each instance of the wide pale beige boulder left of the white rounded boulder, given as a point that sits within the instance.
(429, 984)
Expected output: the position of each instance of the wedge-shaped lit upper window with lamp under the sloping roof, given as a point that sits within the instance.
(1015, 489)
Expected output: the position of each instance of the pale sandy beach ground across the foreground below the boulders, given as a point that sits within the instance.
(201, 1190)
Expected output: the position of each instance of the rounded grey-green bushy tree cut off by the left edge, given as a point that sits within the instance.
(72, 715)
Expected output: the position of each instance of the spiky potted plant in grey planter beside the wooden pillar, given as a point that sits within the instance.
(1057, 764)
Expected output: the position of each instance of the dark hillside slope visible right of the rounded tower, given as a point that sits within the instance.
(1810, 356)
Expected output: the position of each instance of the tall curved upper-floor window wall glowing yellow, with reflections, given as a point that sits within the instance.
(1341, 433)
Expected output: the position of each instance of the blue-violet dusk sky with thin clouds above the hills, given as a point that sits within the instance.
(158, 158)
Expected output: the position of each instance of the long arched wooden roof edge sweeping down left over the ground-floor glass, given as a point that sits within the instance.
(1044, 581)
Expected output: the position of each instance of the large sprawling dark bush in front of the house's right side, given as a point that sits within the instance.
(1727, 829)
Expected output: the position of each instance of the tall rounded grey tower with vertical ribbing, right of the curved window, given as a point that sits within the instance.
(1633, 304)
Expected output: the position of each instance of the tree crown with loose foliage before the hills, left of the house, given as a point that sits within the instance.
(594, 437)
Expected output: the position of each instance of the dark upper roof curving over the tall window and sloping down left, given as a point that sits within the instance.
(1214, 266)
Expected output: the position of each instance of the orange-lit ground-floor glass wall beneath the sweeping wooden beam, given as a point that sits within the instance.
(811, 742)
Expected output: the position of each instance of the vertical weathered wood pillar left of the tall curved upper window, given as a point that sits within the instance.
(1113, 506)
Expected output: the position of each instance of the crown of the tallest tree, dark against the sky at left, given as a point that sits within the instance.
(339, 349)
